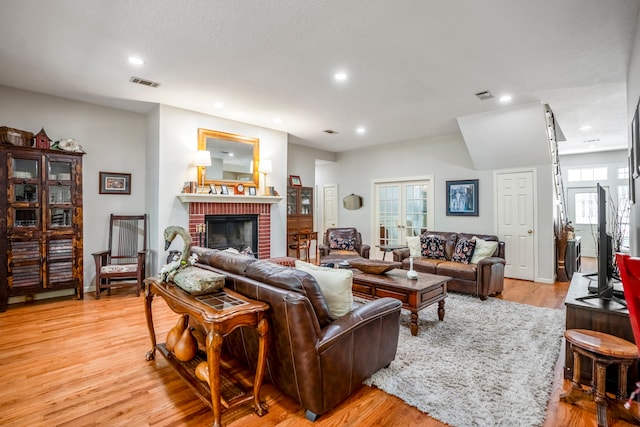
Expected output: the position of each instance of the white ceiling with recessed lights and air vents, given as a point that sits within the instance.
(413, 65)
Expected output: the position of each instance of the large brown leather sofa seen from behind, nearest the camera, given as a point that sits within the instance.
(317, 361)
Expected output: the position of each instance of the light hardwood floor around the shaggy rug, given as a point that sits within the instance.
(80, 363)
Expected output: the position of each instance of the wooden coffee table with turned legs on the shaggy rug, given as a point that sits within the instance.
(414, 294)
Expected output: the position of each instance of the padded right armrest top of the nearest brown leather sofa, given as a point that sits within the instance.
(358, 317)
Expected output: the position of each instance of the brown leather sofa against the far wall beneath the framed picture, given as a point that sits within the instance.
(482, 279)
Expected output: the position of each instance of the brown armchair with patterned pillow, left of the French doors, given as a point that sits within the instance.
(341, 244)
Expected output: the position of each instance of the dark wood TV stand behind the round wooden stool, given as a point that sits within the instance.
(596, 315)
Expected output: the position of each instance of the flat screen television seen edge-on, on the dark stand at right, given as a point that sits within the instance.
(604, 286)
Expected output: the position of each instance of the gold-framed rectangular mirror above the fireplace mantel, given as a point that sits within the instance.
(234, 158)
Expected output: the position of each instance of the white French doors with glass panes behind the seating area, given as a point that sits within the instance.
(403, 208)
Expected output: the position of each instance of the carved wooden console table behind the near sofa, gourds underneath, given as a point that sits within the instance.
(218, 314)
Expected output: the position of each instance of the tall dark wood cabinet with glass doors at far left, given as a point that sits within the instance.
(41, 219)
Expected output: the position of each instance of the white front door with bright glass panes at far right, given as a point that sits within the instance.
(582, 208)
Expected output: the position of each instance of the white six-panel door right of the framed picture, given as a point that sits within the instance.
(515, 223)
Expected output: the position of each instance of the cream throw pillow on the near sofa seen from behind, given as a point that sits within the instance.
(335, 284)
